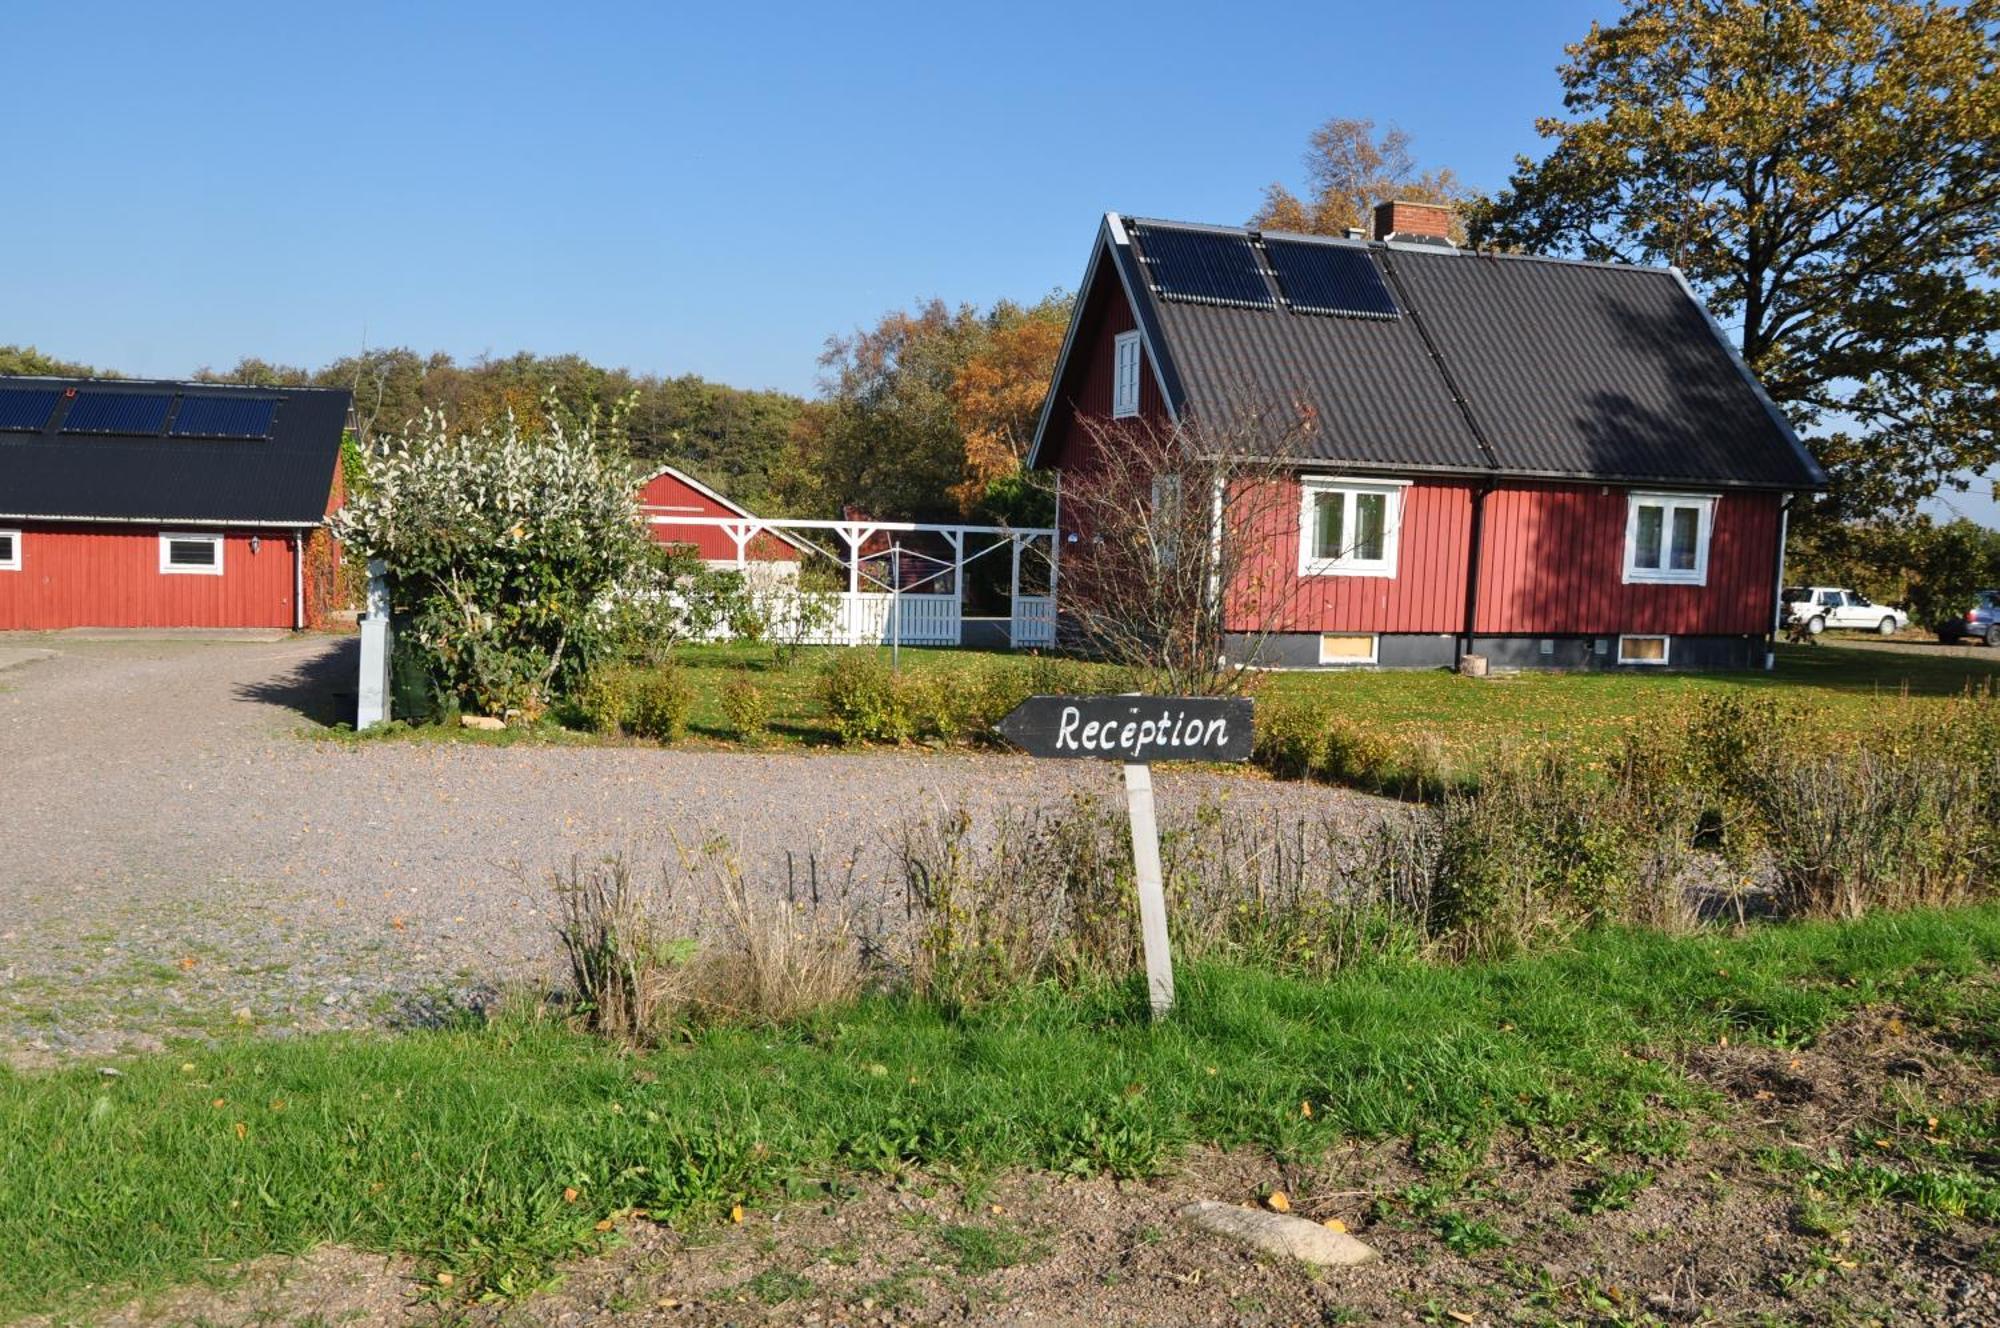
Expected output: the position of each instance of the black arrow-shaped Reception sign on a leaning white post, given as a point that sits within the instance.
(1137, 731)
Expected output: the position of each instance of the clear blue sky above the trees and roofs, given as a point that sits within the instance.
(705, 189)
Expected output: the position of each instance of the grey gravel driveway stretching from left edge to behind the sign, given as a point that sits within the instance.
(181, 855)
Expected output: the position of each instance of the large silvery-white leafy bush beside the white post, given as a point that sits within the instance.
(515, 559)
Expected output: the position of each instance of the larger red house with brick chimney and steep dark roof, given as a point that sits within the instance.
(1549, 463)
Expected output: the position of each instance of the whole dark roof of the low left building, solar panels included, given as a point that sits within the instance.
(101, 449)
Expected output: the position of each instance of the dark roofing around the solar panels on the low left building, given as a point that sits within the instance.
(283, 479)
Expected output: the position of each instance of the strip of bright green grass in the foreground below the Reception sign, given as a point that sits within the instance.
(495, 1151)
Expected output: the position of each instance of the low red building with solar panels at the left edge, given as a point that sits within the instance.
(167, 505)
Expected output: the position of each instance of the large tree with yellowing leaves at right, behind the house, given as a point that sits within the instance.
(1827, 175)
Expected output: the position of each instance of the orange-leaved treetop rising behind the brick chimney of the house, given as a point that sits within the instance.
(1349, 171)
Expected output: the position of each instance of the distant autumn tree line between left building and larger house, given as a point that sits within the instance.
(929, 413)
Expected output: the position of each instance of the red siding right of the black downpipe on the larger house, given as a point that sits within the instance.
(1555, 565)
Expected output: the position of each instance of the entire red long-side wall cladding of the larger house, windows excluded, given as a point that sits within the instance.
(1553, 565)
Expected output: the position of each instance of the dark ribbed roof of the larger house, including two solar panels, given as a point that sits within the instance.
(1461, 363)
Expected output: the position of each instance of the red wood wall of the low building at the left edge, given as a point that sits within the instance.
(109, 577)
